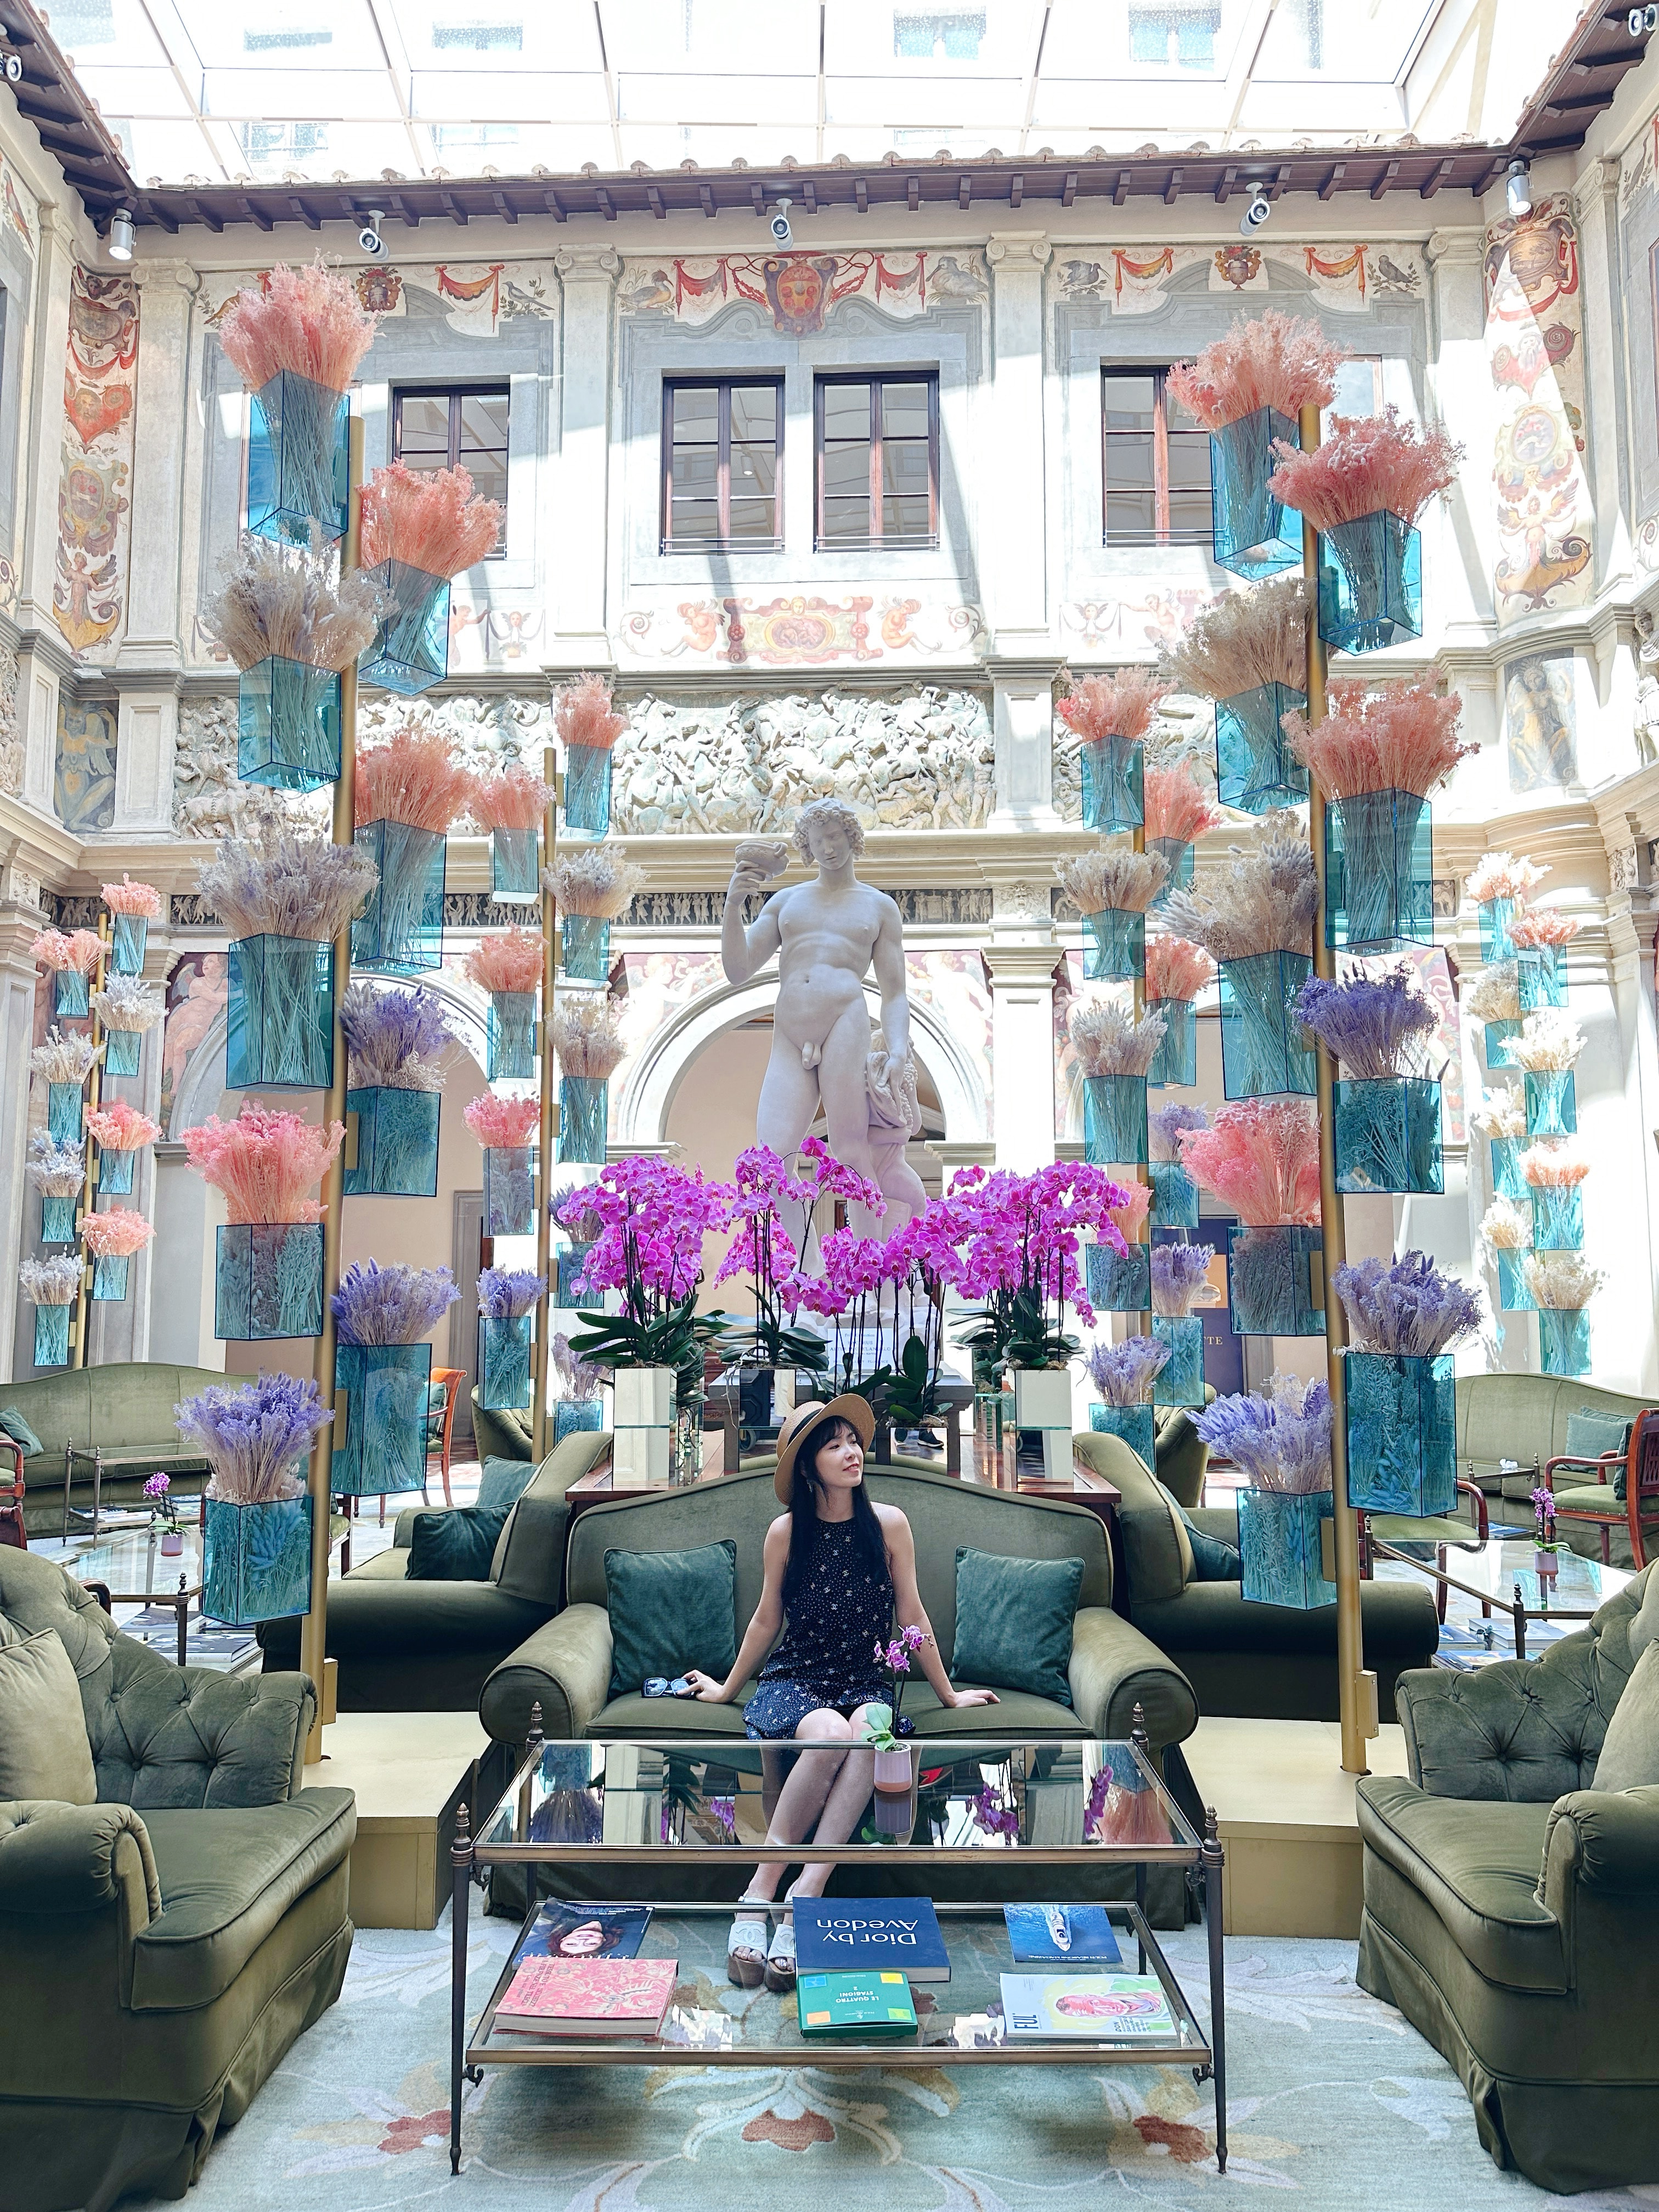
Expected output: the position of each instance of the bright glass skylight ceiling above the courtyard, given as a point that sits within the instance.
(216, 92)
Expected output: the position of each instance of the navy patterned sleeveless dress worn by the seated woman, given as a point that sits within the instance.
(828, 1651)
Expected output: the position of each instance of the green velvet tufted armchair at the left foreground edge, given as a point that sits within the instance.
(165, 1948)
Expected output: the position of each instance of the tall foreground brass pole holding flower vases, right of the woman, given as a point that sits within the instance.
(1355, 1689)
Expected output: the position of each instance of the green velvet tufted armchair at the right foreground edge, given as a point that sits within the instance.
(1512, 1908)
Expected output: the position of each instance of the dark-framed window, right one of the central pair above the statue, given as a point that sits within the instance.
(877, 444)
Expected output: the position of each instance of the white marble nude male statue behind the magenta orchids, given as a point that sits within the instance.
(828, 935)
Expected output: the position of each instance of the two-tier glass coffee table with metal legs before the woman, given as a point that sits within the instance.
(660, 1819)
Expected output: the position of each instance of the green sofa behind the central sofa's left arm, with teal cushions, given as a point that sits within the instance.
(430, 1647)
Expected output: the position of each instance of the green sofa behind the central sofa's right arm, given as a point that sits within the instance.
(1244, 1660)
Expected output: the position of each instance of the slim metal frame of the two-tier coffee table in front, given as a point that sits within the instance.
(1202, 1859)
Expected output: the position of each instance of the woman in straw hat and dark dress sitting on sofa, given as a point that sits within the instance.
(839, 1567)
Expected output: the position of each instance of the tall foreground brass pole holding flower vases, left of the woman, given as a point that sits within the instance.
(313, 1634)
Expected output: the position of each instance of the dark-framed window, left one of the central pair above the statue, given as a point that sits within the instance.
(720, 463)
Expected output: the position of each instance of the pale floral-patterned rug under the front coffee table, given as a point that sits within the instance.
(1333, 2098)
